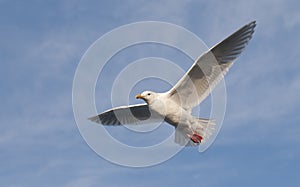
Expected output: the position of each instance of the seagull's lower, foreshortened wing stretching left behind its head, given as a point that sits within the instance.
(133, 114)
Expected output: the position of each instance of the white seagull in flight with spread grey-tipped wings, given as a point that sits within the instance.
(175, 105)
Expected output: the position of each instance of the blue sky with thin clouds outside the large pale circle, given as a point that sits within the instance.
(42, 43)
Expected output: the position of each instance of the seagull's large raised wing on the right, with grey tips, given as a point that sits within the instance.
(210, 68)
